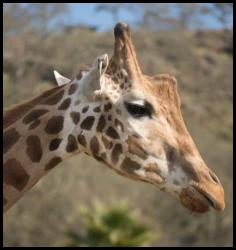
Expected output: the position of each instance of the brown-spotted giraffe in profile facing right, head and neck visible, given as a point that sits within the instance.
(116, 114)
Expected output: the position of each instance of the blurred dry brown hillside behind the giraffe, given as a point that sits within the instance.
(202, 63)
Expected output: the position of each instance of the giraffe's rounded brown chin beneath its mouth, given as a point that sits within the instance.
(193, 201)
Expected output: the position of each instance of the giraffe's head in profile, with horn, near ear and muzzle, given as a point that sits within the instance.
(136, 128)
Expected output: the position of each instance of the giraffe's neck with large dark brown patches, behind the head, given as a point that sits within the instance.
(38, 135)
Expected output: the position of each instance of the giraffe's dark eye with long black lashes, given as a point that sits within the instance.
(139, 110)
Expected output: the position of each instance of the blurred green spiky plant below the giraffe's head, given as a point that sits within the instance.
(110, 226)
